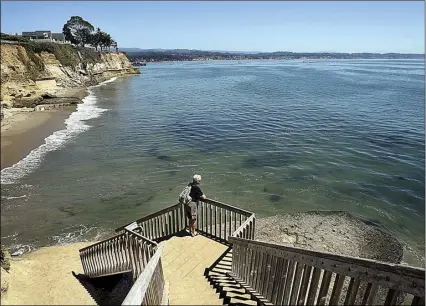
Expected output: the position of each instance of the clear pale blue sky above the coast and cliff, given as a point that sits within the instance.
(301, 26)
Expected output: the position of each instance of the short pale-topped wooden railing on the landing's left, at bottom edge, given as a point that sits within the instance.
(149, 287)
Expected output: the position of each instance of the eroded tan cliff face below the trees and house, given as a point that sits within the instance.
(28, 74)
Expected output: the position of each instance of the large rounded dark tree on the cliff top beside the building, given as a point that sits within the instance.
(78, 31)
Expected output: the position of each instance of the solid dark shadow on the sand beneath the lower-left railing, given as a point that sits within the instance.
(107, 290)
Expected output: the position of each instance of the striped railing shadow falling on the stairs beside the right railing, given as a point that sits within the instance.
(229, 290)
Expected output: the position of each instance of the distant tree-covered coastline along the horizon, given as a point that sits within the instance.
(143, 56)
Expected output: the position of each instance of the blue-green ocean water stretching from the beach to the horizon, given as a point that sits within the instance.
(269, 136)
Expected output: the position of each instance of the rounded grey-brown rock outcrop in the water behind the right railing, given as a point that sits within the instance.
(336, 232)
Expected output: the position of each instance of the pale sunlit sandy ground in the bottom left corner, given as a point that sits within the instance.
(44, 277)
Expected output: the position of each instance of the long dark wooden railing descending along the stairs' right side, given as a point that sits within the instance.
(292, 276)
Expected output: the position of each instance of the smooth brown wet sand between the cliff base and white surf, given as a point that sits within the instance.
(25, 131)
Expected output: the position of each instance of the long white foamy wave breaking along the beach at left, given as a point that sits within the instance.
(74, 126)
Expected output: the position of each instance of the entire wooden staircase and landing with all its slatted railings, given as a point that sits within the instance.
(224, 265)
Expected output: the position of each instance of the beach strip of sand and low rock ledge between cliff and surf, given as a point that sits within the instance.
(25, 129)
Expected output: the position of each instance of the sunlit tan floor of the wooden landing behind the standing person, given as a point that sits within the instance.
(184, 262)
